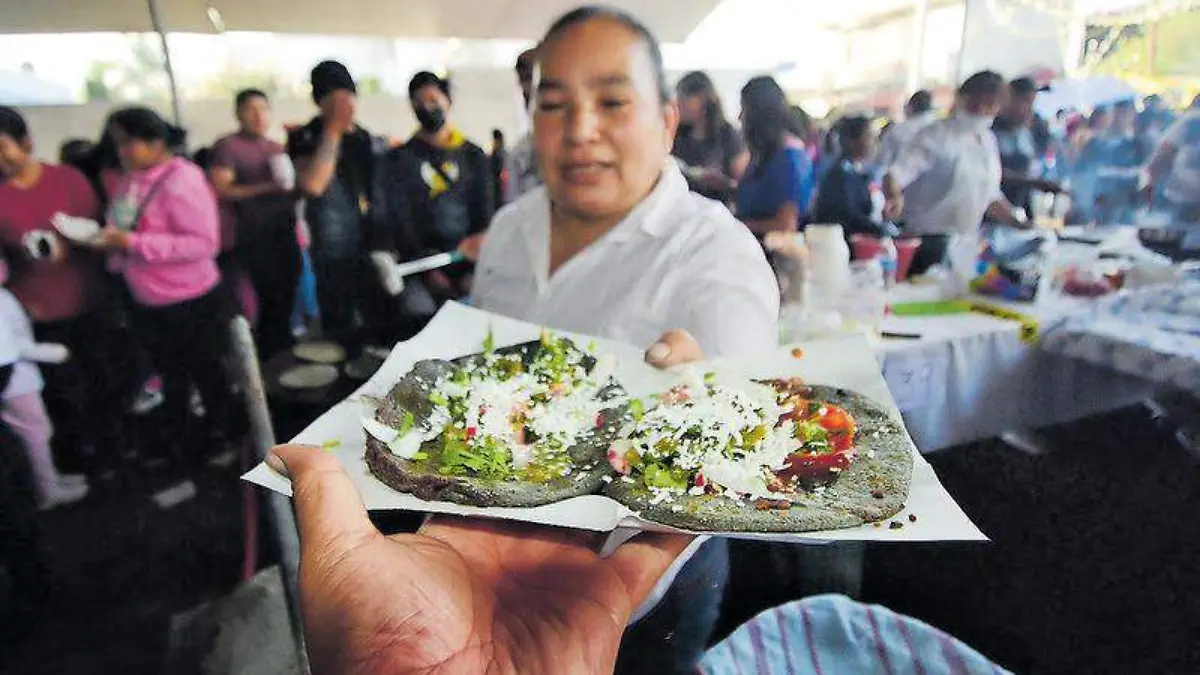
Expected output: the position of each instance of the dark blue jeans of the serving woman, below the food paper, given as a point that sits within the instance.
(673, 638)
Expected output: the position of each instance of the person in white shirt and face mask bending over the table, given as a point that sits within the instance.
(947, 178)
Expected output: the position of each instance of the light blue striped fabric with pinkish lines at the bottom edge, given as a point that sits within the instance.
(833, 636)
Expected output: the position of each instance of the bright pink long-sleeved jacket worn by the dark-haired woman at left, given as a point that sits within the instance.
(173, 248)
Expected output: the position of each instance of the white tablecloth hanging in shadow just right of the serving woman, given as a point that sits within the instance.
(970, 377)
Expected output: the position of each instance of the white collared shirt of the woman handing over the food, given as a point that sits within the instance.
(677, 261)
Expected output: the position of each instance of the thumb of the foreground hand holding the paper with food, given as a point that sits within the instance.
(329, 512)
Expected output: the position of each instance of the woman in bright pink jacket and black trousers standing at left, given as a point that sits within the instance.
(163, 235)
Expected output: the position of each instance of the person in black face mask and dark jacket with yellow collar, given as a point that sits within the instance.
(434, 193)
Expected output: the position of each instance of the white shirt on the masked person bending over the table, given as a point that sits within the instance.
(950, 174)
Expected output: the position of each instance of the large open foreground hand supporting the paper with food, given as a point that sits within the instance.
(460, 596)
